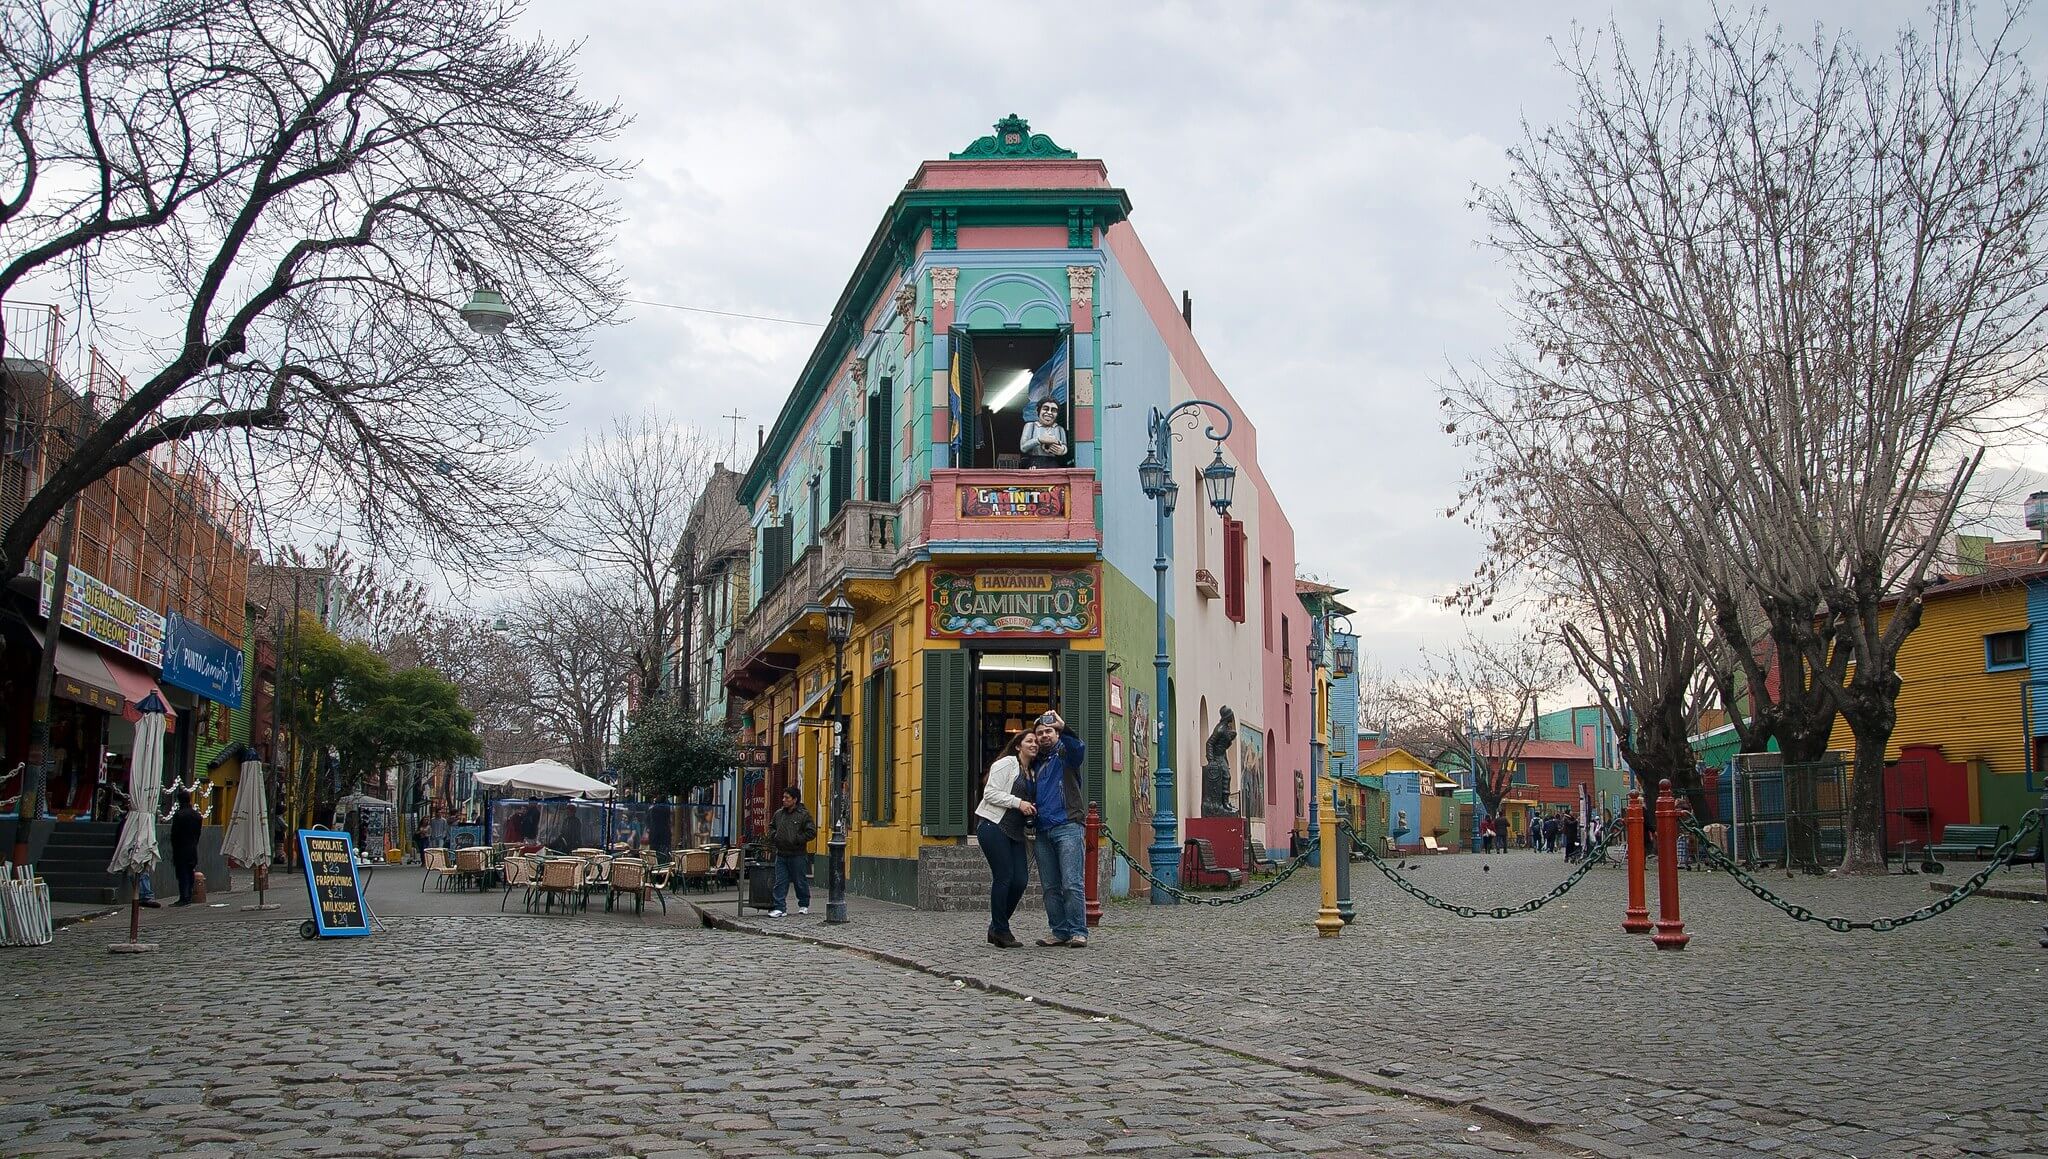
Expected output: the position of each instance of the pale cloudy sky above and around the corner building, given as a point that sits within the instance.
(1302, 169)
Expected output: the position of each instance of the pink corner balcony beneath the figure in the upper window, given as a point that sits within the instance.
(1048, 511)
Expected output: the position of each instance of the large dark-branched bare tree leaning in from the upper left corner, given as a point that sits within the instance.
(306, 191)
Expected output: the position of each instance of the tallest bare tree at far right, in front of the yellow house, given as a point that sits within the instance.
(1811, 284)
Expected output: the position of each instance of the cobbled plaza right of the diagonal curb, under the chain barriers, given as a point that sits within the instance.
(1764, 1037)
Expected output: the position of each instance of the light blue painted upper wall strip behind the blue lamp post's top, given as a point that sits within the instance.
(1125, 396)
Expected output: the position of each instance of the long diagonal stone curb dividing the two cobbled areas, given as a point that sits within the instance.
(1508, 1117)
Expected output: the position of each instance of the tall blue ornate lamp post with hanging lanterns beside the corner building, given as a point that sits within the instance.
(1156, 474)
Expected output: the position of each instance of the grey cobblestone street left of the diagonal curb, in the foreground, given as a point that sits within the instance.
(464, 1033)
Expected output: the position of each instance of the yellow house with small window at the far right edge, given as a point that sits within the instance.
(1963, 679)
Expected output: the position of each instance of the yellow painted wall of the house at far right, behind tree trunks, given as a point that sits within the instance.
(1947, 697)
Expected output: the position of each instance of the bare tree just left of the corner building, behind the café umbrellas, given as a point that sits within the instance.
(626, 515)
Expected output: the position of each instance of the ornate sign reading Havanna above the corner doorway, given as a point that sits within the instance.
(1015, 603)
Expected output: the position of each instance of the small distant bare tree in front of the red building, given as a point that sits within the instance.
(1480, 701)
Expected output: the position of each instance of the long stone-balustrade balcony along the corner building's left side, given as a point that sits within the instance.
(859, 544)
